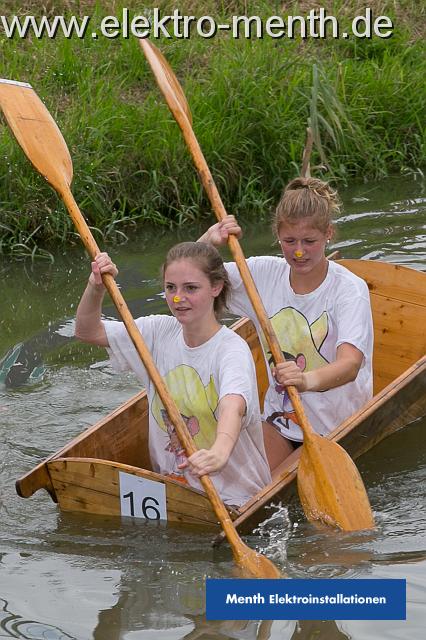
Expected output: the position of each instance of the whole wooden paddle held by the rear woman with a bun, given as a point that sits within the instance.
(330, 486)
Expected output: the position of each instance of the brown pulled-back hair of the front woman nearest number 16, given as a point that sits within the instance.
(209, 261)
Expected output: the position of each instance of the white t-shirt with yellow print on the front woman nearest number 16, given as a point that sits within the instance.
(197, 378)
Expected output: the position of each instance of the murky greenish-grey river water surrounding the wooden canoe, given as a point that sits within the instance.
(68, 576)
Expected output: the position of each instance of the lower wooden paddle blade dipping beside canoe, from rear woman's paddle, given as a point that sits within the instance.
(330, 486)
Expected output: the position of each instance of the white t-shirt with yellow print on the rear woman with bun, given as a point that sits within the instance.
(309, 328)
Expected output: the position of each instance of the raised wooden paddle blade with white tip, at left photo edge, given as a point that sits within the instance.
(36, 132)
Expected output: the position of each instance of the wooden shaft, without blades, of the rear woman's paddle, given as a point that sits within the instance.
(238, 255)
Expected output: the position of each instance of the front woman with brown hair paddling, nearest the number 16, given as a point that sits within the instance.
(208, 369)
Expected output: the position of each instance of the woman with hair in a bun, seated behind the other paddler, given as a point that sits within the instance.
(320, 312)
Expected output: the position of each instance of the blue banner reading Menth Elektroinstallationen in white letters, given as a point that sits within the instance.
(317, 599)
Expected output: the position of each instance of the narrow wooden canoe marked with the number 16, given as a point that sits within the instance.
(106, 469)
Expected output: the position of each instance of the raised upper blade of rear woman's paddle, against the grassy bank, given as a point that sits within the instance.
(166, 79)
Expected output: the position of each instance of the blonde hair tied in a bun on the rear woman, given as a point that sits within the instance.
(307, 198)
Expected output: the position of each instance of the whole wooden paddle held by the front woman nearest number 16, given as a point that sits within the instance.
(43, 144)
